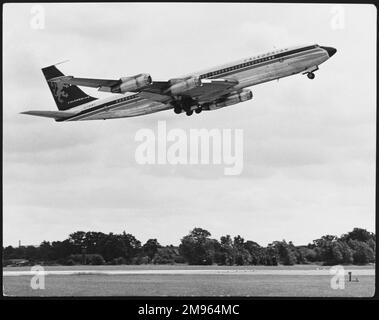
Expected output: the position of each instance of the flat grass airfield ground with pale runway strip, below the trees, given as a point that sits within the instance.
(242, 281)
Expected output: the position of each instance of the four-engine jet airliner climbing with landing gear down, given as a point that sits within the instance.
(207, 90)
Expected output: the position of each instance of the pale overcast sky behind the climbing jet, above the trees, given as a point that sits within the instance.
(309, 146)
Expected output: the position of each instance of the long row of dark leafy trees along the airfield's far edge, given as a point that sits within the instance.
(196, 248)
